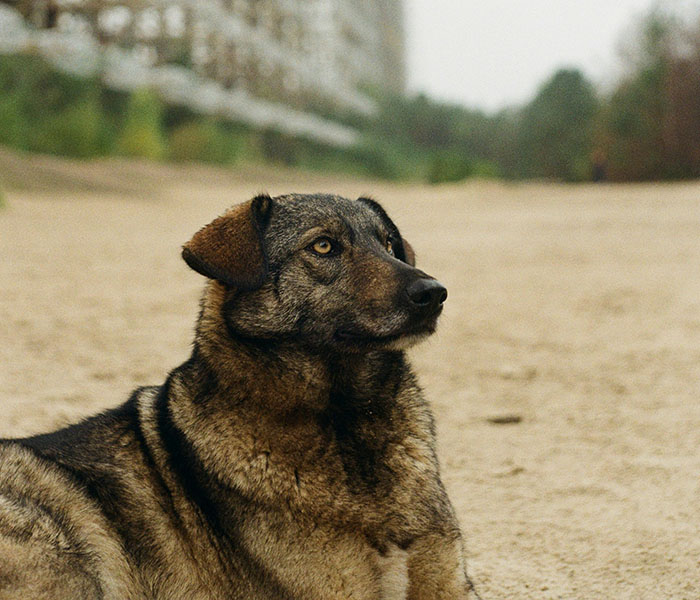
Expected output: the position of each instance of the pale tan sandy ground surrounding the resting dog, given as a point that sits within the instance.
(574, 309)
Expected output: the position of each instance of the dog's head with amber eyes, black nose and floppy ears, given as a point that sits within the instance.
(329, 272)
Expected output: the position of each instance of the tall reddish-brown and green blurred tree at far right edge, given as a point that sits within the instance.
(650, 128)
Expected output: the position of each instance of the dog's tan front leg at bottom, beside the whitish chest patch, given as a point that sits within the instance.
(436, 568)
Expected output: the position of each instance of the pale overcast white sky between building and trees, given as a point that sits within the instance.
(491, 54)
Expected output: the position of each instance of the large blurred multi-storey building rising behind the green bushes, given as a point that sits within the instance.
(308, 55)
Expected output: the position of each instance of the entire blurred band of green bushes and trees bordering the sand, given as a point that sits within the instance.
(646, 127)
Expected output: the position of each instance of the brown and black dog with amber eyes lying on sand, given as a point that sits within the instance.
(292, 456)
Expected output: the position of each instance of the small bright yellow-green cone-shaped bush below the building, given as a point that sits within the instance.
(142, 134)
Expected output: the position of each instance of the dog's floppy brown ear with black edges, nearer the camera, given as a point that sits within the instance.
(230, 249)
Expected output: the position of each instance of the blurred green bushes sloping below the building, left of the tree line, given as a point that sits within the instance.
(48, 111)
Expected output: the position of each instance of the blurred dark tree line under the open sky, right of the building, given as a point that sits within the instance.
(646, 128)
